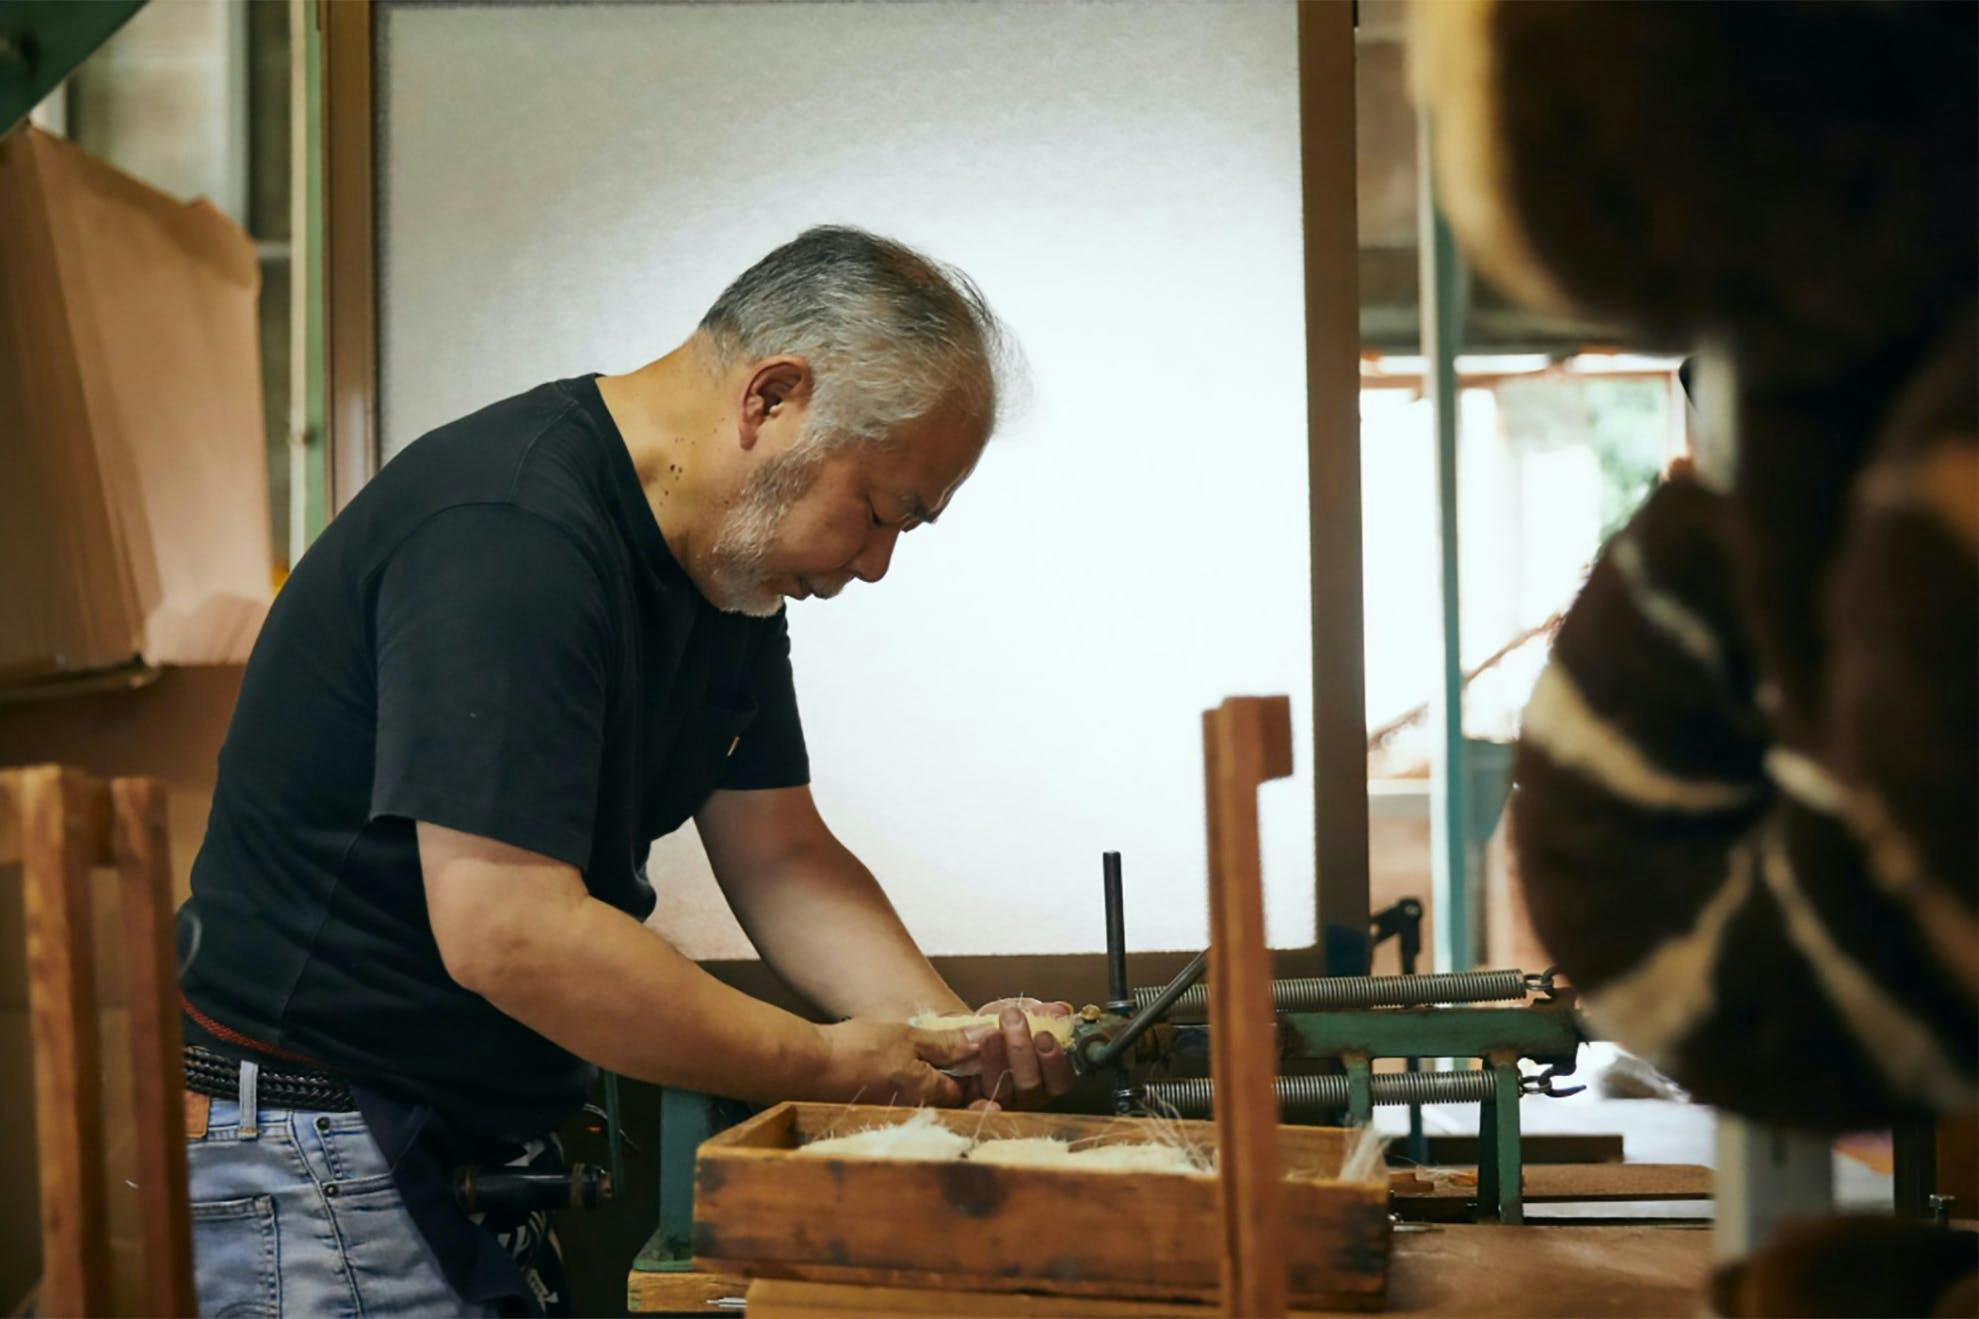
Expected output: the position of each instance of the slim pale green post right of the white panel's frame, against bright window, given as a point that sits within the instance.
(1442, 332)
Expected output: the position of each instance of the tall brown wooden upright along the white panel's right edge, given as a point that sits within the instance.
(1333, 476)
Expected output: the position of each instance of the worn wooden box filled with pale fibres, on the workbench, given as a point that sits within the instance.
(765, 1213)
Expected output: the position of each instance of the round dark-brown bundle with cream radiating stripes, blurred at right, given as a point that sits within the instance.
(1746, 803)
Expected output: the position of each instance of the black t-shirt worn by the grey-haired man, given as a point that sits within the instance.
(492, 639)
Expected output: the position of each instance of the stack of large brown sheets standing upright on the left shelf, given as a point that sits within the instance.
(134, 474)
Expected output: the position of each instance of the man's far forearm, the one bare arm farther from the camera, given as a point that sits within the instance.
(826, 928)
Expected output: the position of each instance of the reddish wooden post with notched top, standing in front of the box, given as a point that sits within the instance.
(1246, 742)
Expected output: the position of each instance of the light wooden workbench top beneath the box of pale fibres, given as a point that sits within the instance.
(1452, 1270)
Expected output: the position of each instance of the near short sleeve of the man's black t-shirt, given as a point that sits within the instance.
(494, 641)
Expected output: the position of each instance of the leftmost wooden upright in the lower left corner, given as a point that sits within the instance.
(62, 1013)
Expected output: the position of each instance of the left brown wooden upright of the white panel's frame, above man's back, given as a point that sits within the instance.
(351, 249)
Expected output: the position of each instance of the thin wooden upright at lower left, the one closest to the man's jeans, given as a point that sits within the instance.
(157, 1063)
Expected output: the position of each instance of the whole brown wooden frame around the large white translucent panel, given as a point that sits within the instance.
(1333, 449)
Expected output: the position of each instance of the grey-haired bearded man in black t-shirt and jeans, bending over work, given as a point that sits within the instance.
(537, 641)
